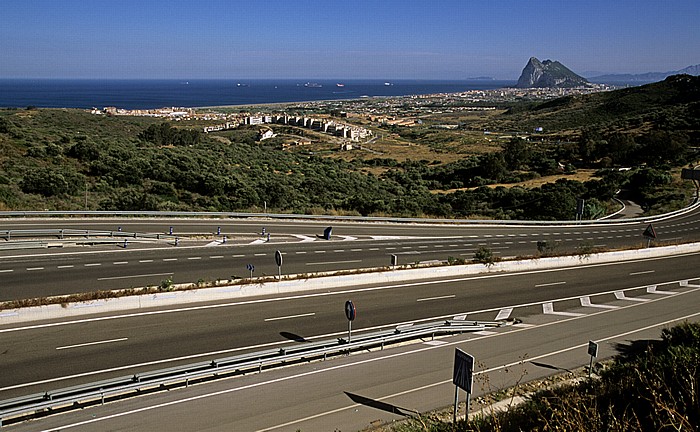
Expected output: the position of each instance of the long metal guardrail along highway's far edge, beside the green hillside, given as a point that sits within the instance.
(643, 219)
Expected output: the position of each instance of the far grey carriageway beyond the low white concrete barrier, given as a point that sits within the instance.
(203, 256)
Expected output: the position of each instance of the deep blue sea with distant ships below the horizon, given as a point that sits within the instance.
(150, 94)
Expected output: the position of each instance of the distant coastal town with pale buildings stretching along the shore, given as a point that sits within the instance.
(350, 120)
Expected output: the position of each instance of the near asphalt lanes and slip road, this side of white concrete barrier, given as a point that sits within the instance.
(351, 393)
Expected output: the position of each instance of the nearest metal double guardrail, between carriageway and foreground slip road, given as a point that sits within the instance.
(93, 393)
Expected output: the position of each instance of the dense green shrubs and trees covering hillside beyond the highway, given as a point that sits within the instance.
(70, 159)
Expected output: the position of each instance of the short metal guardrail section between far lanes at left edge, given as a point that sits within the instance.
(84, 234)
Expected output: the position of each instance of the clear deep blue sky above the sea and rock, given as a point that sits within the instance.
(390, 39)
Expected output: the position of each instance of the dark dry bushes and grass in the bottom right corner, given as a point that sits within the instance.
(652, 387)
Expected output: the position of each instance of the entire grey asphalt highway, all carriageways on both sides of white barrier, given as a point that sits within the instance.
(614, 302)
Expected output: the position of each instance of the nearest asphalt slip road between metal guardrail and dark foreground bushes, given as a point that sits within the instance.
(353, 392)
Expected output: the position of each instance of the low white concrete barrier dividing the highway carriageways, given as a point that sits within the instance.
(231, 292)
